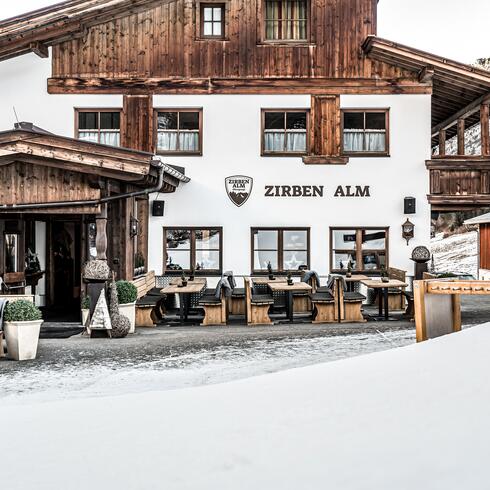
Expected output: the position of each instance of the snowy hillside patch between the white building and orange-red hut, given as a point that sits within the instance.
(456, 253)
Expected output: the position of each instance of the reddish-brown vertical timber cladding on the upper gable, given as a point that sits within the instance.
(161, 43)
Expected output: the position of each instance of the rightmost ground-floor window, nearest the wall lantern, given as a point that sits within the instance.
(365, 248)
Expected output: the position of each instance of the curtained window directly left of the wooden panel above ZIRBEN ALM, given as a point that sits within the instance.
(284, 131)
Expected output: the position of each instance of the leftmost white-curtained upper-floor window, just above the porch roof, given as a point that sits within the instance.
(99, 126)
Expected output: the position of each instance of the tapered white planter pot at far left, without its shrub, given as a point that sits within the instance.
(22, 339)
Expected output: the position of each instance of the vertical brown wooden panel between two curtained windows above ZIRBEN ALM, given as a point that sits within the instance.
(325, 133)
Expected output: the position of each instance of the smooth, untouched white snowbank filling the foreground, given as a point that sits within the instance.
(414, 417)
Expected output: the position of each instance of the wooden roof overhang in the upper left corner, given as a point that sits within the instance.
(36, 30)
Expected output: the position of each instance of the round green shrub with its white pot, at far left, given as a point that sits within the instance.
(22, 326)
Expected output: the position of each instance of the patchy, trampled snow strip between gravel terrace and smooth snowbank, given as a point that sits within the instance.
(78, 378)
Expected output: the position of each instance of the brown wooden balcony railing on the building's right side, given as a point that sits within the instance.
(459, 182)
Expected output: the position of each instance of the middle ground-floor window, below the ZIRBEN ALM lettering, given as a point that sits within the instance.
(287, 249)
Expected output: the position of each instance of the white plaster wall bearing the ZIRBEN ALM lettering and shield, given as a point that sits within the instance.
(231, 146)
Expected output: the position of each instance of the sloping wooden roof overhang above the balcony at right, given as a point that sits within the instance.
(455, 85)
